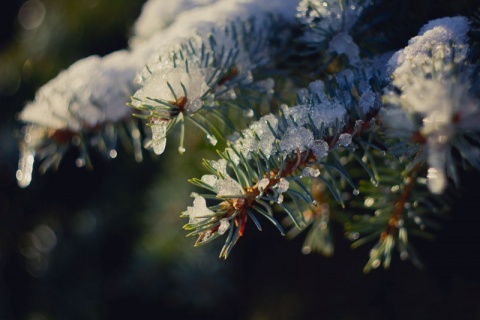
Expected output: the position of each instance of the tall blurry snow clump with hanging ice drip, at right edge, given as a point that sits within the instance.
(433, 90)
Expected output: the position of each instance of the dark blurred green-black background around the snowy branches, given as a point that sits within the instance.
(109, 244)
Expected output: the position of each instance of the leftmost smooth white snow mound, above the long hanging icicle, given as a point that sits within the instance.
(91, 92)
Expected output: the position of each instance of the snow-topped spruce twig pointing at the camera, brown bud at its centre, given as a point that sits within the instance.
(207, 74)
